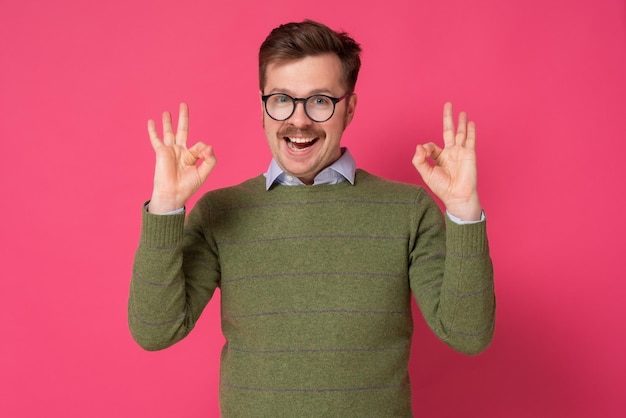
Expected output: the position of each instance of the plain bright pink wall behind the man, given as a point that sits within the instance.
(544, 80)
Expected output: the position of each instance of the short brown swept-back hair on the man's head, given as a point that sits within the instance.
(308, 38)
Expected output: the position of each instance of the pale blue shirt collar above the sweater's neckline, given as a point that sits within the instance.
(341, 170)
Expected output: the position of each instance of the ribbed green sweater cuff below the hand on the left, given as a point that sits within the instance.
(161, 230)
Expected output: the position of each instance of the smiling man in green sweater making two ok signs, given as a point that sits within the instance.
(316, 261)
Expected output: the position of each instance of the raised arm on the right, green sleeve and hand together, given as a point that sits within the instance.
(459, 305)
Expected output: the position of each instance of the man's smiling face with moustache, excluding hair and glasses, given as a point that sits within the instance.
(300, 146)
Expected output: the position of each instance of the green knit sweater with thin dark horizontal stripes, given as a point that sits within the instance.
(315, 289)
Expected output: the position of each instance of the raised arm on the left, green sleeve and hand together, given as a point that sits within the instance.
(166, 297)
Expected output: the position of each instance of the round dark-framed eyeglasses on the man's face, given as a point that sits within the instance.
(319, 107)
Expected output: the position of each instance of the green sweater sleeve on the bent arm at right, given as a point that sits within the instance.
(452, 279)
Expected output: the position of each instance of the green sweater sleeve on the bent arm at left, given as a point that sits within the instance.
(169, 287)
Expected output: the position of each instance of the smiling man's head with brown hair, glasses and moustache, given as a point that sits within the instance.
(309, 61)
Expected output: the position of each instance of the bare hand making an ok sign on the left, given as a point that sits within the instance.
(177, 174)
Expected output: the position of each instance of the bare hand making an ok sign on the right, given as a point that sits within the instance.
(453, 177)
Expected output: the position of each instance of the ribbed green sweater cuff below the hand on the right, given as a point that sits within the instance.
(469, 240)
